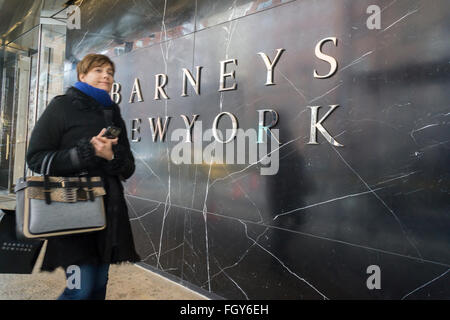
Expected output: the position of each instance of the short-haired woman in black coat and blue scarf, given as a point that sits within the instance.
(73, 124)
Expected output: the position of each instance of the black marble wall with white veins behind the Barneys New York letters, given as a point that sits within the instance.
(314, 229)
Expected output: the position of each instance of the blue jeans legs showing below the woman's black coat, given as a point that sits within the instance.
(92, 283)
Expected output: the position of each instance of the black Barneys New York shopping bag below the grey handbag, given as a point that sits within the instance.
(16, 256)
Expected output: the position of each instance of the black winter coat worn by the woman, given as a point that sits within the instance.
(66, 126)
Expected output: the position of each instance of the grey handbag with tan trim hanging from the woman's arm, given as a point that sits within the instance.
(54, 206)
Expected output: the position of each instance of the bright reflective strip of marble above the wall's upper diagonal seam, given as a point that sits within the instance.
(124, 26)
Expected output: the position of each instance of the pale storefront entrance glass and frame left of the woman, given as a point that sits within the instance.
(39, 51)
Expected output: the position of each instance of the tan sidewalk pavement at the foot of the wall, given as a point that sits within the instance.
(126, 282)
